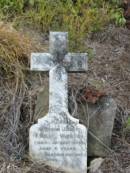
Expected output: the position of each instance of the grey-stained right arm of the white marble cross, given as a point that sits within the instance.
(76, 62)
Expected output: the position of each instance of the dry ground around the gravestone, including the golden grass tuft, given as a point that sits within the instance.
(108, 74)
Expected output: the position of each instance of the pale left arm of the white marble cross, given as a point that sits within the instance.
(41, 61)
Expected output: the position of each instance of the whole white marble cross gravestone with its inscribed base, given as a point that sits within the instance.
(58, 139)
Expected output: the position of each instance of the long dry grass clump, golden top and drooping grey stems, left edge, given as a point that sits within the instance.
(14, 53)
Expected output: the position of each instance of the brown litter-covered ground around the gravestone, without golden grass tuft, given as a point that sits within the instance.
(109, 72)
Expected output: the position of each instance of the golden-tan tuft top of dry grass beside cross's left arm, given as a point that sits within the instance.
(14, 52)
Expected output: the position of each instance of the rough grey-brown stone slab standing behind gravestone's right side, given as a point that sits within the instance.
(101, 122)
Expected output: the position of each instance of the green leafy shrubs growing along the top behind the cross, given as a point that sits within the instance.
(79, 17)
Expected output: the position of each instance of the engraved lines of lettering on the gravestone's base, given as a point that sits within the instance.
(57, 141)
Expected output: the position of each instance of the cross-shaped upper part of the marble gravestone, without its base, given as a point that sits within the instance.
(58, 62)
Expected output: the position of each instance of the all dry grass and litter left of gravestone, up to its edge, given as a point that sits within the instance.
(17, 100)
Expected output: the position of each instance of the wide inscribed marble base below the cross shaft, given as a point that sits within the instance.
(60, 142)
